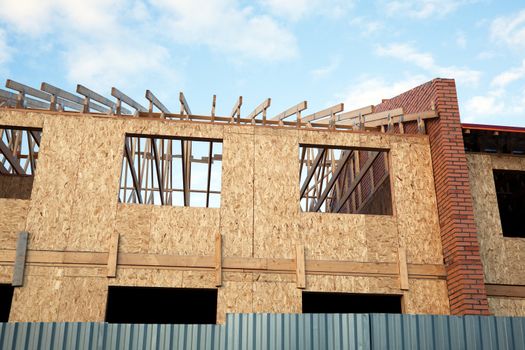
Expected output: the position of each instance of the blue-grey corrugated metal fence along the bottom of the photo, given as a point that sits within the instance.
(279, 331)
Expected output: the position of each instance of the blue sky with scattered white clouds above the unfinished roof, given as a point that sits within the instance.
(326, 52)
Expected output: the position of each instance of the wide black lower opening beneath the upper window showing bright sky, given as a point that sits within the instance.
(161, 305)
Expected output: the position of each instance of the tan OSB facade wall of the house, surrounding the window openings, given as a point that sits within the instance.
(74, 207)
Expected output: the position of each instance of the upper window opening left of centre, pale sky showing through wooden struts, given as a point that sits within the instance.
(164, 170)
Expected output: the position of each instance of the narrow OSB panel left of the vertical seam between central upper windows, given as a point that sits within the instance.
(236, 212)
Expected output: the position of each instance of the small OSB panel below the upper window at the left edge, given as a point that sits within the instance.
(13, 214)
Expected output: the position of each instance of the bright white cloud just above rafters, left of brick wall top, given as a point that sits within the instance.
(370, 90)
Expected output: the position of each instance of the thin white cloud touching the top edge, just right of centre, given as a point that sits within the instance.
(297, 9)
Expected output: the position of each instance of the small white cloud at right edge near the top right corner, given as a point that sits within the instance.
(509, 29)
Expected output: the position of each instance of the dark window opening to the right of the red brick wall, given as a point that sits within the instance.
(510, 191)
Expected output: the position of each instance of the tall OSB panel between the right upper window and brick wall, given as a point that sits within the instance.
(415, 203)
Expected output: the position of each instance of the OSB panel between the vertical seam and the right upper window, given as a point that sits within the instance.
(276, 185)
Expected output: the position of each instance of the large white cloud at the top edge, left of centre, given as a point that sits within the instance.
(228, 28)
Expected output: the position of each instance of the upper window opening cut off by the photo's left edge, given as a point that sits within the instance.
(19, 149)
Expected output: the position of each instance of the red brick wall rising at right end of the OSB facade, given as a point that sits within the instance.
(465, 278)
